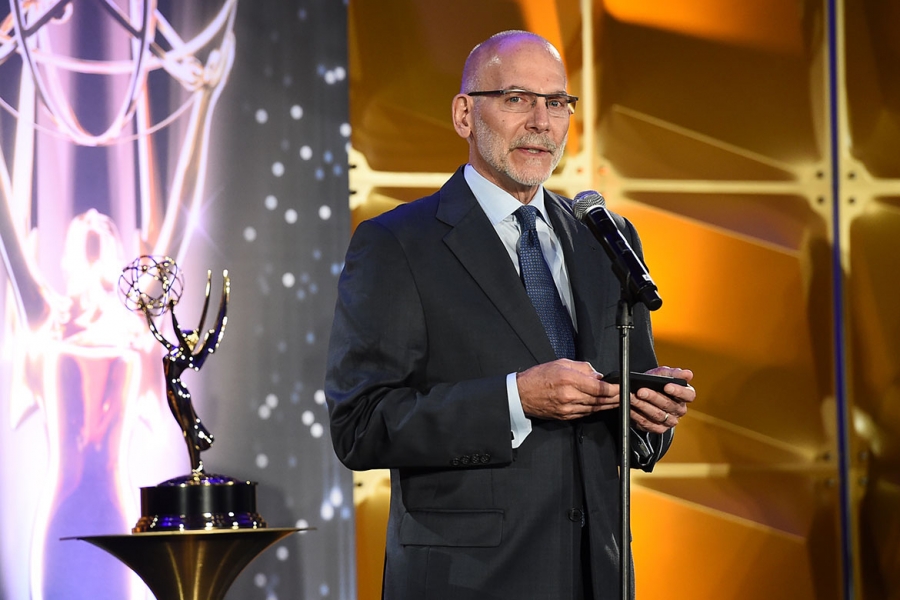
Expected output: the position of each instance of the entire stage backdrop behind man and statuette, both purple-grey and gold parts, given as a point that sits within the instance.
(755, 145)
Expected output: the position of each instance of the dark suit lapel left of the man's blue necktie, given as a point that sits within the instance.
(475, 243)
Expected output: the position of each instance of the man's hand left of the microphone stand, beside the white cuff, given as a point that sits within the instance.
(565, 389)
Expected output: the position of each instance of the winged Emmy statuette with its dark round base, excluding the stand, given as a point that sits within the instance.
(199, 500)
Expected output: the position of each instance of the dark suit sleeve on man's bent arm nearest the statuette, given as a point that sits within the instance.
(387, 410)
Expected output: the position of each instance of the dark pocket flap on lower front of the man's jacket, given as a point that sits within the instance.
(474, 528)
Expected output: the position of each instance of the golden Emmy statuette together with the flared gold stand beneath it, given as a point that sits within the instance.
(197, 531)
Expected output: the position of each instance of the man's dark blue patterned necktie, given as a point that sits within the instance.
(541, 288)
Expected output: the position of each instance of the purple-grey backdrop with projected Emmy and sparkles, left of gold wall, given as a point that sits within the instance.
(263, 194)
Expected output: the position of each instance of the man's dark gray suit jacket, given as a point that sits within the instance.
(431, 317)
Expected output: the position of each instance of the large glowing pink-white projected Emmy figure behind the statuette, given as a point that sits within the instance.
(107, 112)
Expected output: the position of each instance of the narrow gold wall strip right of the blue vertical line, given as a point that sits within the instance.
(869, 201)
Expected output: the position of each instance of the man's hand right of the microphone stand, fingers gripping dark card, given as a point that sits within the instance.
(655, 412)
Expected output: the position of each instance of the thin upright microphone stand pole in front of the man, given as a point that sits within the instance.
(625, 323)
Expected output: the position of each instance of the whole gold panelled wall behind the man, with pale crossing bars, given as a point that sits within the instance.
(710, 124)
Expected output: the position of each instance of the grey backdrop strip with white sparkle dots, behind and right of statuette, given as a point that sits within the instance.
(280, 224)
